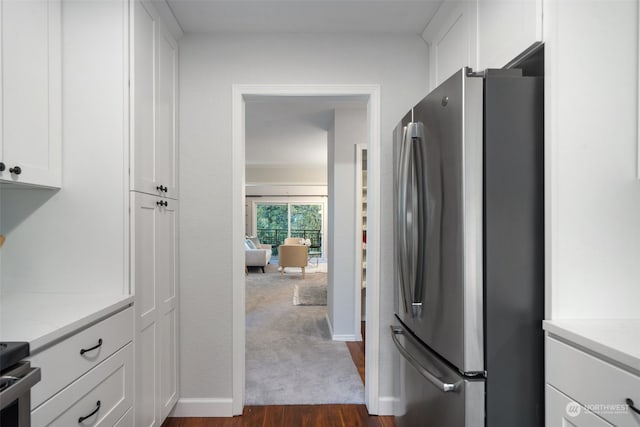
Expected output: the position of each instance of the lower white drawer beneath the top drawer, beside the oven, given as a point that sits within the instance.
(110, 383)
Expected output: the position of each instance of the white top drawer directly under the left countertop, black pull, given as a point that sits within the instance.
(62, 363)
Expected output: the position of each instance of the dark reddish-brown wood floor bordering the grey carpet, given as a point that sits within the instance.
(299, 415)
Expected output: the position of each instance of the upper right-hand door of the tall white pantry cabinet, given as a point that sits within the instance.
(166, 147)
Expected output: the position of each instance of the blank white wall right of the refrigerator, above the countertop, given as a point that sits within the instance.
(593, 196)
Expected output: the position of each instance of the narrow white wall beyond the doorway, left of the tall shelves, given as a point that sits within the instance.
(350, 128)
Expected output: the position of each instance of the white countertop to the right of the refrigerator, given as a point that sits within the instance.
(579, 332)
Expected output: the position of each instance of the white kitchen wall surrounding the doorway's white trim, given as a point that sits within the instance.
(209, 66)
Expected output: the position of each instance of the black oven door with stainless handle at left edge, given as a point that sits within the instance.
(15, 395)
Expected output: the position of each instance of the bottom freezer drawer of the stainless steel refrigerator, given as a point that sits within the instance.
(432, 394)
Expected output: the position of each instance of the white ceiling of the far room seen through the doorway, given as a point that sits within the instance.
(291, 131)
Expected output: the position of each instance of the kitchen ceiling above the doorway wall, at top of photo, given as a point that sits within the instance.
(304, 16)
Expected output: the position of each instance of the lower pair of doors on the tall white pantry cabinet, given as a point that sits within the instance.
(154, 225)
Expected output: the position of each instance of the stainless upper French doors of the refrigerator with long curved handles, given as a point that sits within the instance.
(438, 222)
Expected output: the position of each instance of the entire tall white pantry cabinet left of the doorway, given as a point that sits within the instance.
(154, 203)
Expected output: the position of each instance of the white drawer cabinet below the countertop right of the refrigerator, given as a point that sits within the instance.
(586, 390)
